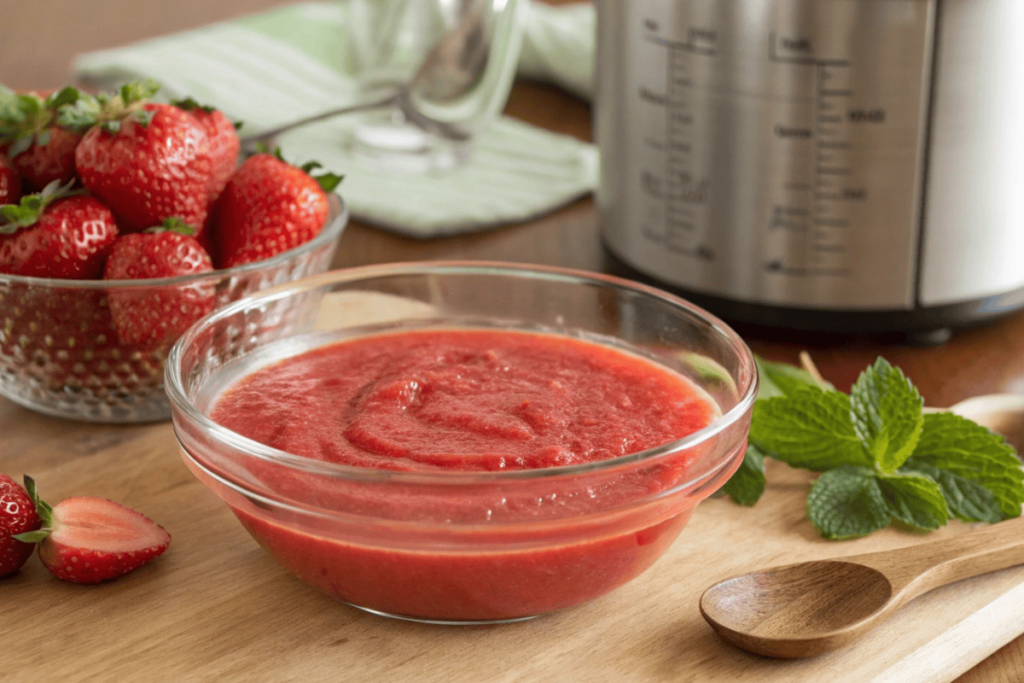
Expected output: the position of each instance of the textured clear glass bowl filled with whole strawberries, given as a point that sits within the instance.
(61, 353)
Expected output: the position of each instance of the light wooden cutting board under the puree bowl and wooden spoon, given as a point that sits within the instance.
(216, 608)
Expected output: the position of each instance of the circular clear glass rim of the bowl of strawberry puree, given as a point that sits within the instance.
(249, 448)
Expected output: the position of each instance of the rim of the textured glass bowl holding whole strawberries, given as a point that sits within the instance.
(336, 222)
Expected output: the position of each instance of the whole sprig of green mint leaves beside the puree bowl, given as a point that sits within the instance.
(881, 457)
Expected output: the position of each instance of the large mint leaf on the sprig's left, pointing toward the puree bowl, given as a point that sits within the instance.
(812, 429)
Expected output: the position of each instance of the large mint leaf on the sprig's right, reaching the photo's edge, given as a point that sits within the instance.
(975, 453)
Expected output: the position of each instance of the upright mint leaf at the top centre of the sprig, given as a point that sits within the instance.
(887, 414)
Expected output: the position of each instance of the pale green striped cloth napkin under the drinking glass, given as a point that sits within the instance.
(277, 67)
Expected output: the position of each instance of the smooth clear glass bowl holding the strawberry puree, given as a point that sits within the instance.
(447, 546)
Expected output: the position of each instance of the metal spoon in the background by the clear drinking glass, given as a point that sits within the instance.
(453, 67)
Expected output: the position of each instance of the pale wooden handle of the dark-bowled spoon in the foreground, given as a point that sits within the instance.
(920, 569)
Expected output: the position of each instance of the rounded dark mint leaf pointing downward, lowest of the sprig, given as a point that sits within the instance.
(847, 502)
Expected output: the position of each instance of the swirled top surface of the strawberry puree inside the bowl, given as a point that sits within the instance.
(464, 401)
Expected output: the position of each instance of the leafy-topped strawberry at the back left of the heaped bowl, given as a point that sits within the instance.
(39, 143)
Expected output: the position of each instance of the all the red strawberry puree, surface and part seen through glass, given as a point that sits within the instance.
(478, 401)
